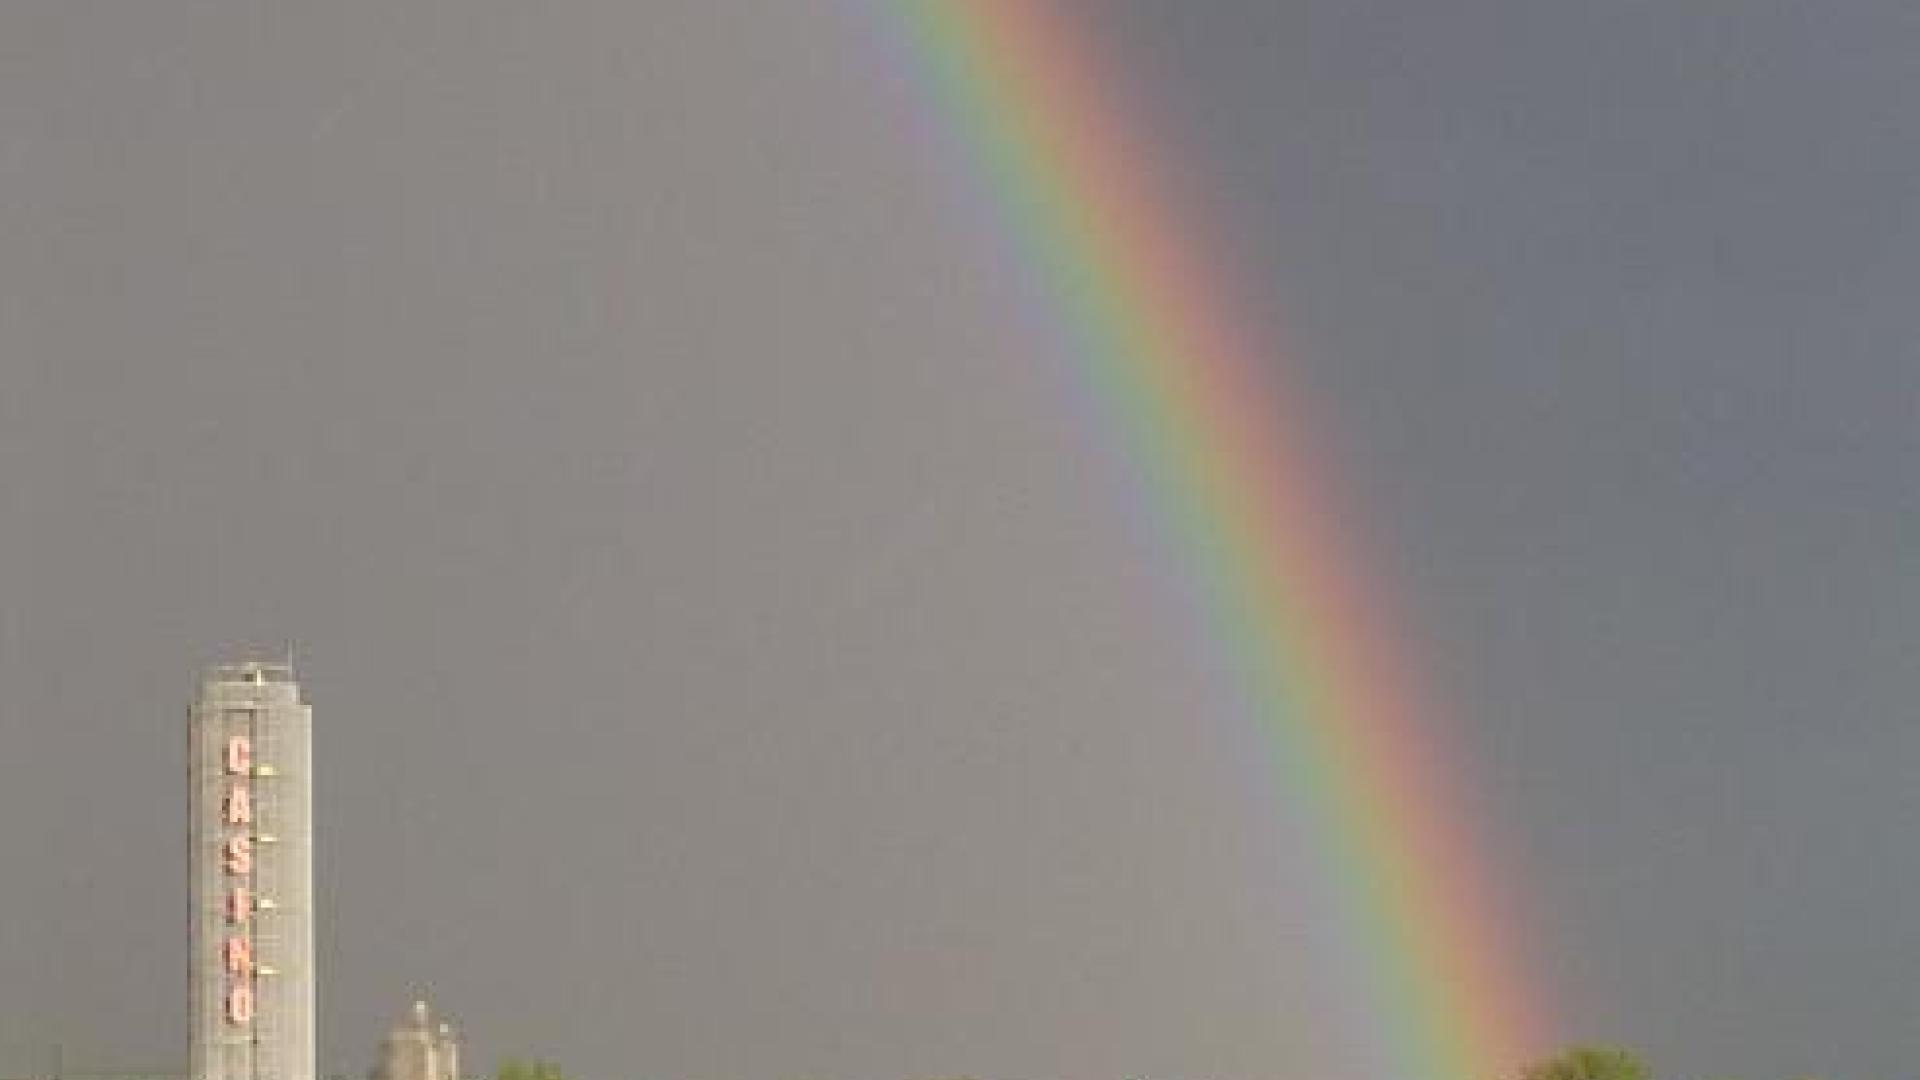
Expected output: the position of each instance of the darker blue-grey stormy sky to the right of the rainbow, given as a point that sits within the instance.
(1612, 305)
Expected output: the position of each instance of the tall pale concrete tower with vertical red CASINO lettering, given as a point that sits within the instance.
(251, 895)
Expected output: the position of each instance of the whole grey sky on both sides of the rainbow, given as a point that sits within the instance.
(731, 654)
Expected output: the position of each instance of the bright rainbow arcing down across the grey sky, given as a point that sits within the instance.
(1230, 476)
